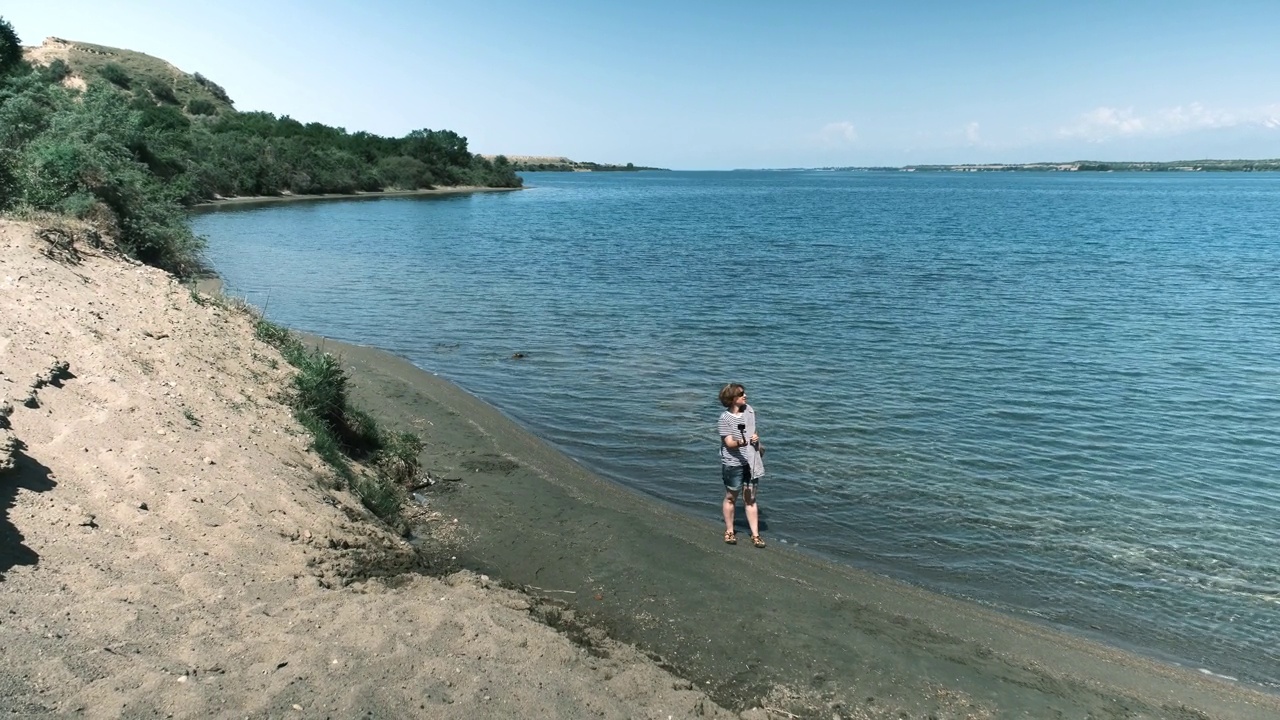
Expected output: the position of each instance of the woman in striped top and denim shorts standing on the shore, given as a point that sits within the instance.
(742, 466)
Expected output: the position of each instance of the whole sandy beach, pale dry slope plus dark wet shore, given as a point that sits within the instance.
(170, 546)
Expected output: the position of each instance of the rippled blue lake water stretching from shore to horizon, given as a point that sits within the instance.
(1058, 395)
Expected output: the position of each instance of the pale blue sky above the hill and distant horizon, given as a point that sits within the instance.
(714, 85)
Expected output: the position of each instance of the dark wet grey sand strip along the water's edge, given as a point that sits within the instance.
(752, 627)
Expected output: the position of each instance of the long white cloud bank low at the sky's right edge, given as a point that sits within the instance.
(1105, 124)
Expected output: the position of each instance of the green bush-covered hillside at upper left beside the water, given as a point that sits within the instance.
(129, 143)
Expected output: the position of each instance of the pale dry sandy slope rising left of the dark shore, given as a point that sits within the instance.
(168, 549)
